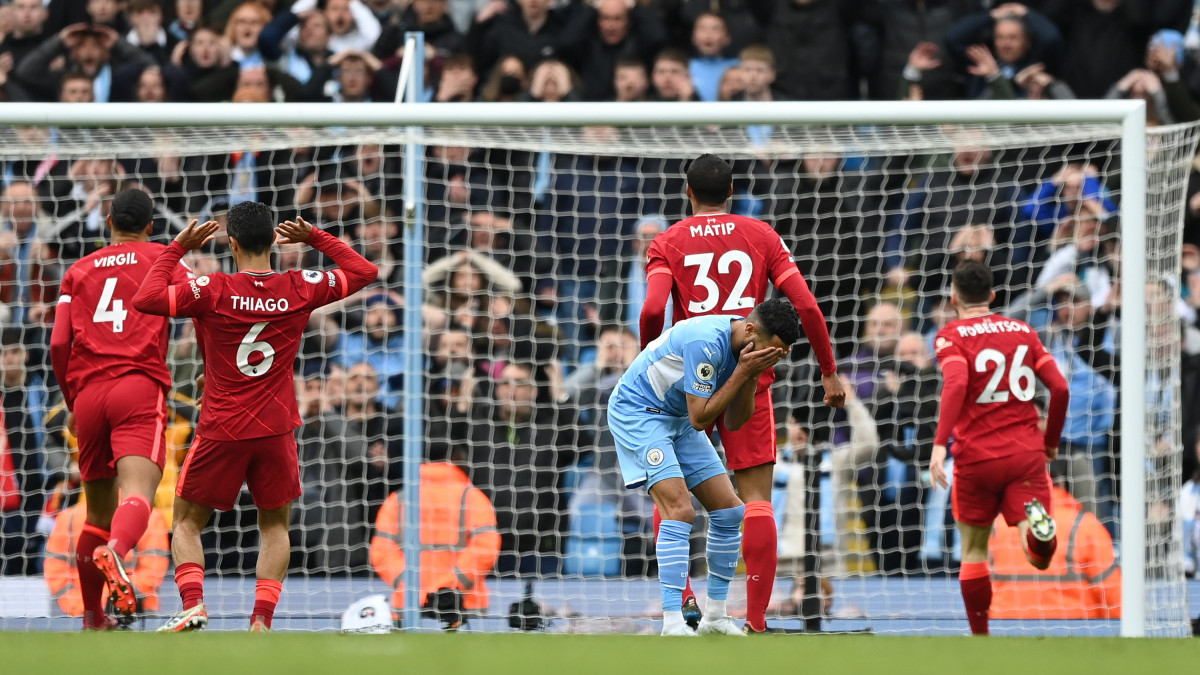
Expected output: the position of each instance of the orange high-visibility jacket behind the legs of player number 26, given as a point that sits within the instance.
(1083, 581)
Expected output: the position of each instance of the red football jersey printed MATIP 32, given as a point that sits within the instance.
(722, 264)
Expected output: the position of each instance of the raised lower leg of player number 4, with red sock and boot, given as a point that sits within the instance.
(139, 479)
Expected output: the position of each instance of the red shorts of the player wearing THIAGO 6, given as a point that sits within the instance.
(214, 473)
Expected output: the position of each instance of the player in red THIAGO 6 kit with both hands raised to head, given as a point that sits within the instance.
(250, 326)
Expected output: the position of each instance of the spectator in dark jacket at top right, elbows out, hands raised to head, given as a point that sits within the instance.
(1003, 43)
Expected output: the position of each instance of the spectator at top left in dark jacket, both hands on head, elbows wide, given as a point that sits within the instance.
(93, 51)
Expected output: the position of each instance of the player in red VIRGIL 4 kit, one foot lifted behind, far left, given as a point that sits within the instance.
(111, 362)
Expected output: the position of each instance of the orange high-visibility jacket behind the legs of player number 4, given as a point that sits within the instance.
(147, 564)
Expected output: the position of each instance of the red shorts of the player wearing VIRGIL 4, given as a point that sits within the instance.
(118, 419)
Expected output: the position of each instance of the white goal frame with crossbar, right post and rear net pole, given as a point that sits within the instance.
(1129, 116)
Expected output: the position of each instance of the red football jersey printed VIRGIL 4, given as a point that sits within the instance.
(106, 337)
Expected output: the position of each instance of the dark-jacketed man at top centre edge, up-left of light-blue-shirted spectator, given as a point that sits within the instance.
(623, 34)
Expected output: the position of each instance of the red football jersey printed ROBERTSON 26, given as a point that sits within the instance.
(998, 417)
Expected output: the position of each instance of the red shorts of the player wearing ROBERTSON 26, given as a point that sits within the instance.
(983, 489)
